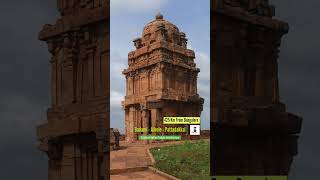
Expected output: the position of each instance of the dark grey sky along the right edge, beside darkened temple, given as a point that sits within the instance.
(299, 75)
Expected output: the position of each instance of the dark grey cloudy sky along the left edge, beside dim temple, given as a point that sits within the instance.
(24, 88)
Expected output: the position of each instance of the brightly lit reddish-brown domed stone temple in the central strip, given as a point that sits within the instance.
(161, 79)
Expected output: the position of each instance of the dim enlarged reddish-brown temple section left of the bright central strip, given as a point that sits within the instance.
(75, 136)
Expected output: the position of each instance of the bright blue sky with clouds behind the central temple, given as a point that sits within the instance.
(128, 17)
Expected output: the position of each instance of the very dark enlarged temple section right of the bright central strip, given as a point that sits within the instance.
(253, 134)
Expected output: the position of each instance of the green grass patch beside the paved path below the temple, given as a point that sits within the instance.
(185, 161)
